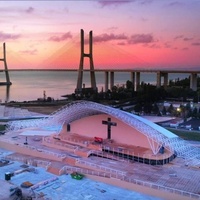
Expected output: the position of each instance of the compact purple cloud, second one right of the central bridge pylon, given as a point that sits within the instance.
(141, 38)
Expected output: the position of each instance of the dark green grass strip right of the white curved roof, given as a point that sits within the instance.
(186, 135)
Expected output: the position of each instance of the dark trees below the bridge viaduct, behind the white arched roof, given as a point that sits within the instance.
(147, 99)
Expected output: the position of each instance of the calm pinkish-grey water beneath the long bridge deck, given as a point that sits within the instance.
(31, 85)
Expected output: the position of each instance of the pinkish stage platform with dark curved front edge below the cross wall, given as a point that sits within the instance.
(86, 146)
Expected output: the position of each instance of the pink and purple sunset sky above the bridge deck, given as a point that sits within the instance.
(126, 33)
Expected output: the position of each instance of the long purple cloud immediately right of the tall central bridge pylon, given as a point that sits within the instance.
(107, 37)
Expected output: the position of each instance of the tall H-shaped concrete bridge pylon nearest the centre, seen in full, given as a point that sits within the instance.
(80, 88)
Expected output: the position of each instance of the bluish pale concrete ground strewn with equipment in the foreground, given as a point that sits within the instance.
(64, 188)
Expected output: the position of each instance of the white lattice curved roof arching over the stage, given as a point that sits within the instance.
(156, 135)
